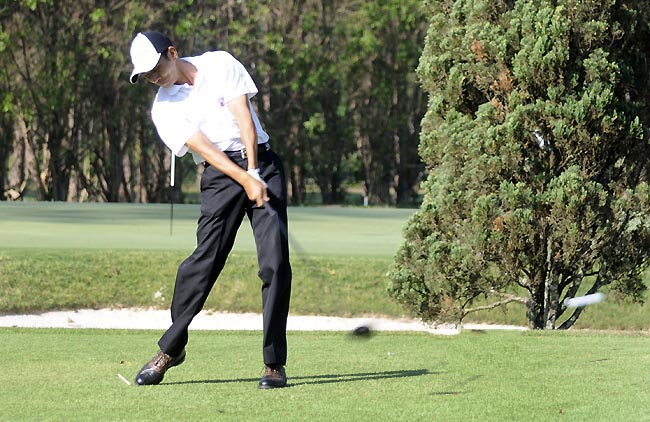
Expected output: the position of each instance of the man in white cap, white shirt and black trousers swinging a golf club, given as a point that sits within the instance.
(203, 106)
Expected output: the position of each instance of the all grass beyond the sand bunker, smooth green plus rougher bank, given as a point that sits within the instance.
(67, 256)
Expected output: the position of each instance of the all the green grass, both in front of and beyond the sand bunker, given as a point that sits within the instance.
(67, 256)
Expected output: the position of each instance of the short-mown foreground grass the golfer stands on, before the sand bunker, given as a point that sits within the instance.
(64, 374)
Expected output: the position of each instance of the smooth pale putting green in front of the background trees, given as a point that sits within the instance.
(318, 230)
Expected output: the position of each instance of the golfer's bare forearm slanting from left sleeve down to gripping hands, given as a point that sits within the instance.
(200, 144)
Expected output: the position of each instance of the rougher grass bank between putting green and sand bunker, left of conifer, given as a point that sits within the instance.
(34, 280)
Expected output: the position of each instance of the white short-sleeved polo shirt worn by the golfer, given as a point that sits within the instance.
(181, 110)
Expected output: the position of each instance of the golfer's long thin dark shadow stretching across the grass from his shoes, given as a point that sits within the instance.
(325, 378)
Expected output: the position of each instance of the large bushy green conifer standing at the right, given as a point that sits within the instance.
(537, 144)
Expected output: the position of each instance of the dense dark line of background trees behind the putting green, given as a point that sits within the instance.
(338, 94)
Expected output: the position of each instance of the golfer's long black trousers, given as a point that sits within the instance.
(223, 205)
